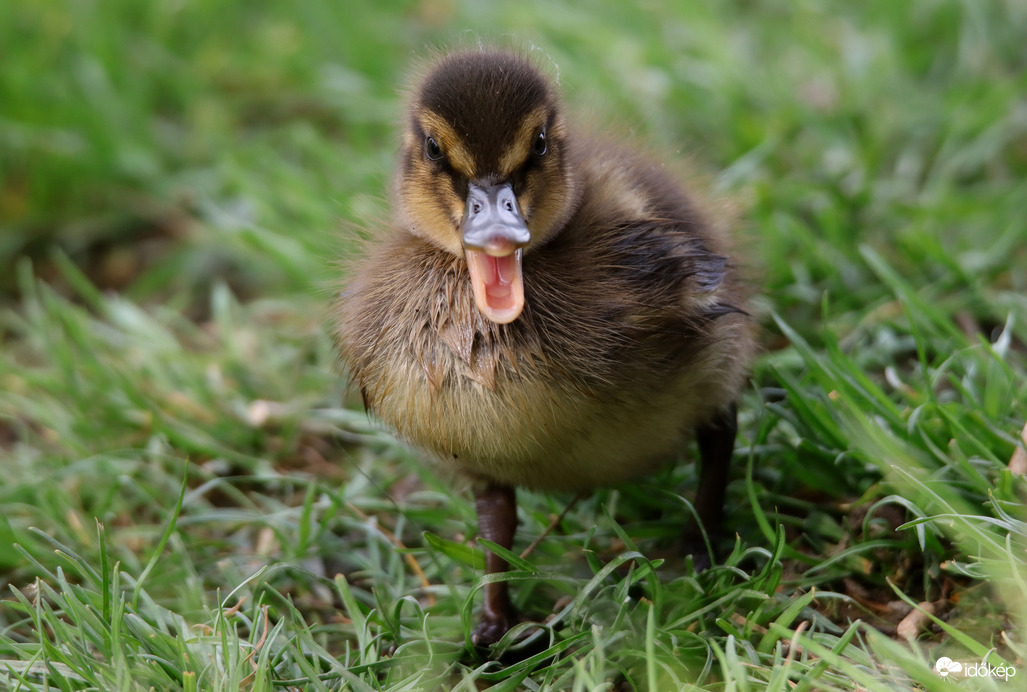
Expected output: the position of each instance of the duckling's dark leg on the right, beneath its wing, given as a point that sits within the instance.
(716, 442)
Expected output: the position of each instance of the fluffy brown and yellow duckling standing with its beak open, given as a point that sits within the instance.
(549, 310)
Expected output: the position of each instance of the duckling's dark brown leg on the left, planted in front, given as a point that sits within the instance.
(497, 507)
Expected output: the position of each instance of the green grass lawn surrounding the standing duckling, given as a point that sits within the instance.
(193, 499)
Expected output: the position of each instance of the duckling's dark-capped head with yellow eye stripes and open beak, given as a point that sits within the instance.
(485, 170)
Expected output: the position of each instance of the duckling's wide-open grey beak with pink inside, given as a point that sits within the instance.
(495, 234)
